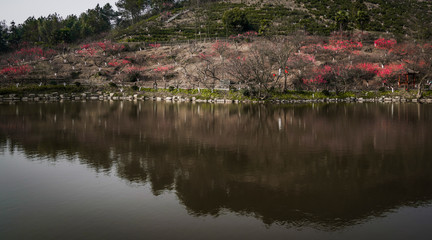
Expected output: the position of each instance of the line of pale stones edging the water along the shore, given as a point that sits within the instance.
(142, 97)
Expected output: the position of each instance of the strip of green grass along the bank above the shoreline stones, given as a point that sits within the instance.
(207, 94)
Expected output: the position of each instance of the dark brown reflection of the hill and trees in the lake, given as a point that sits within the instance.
(323, 164)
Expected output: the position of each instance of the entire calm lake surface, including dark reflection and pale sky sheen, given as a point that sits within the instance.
(147, 170)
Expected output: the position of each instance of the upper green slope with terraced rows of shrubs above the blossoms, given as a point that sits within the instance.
(402, 18)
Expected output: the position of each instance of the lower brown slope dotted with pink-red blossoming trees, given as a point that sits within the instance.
(259, 65)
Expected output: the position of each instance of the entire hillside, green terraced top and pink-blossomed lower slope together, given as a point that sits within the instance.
(253, 46)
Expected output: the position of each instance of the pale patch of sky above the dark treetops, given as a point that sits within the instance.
(20, 10)
